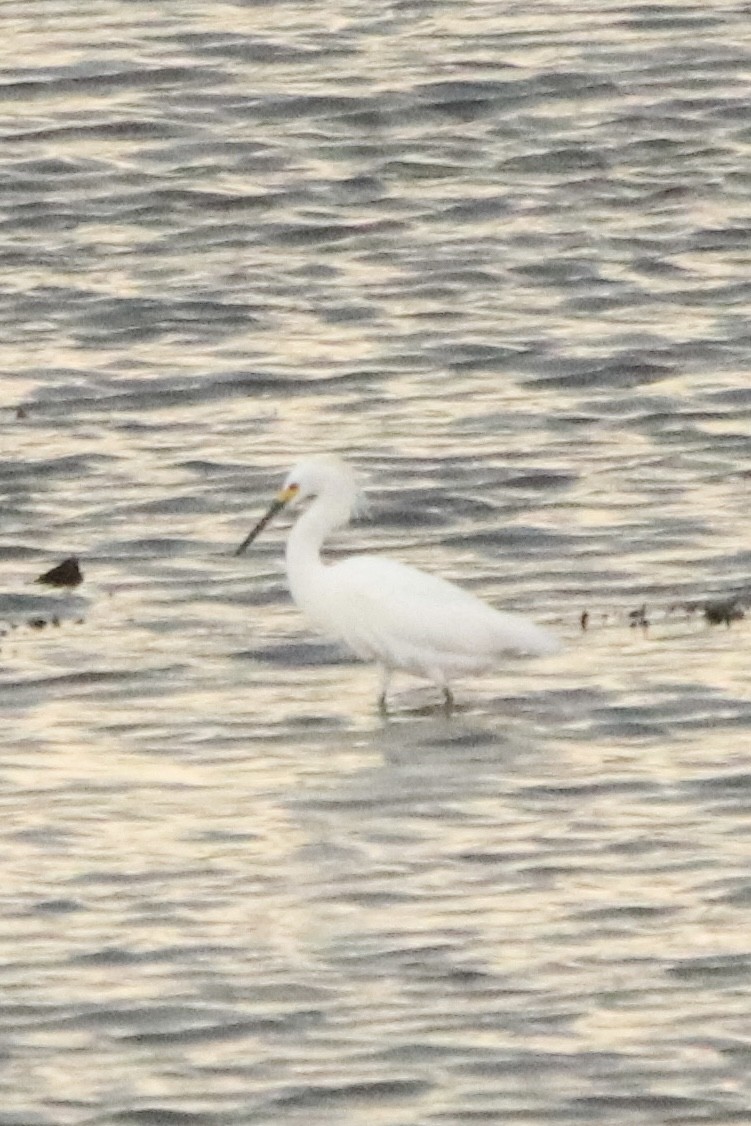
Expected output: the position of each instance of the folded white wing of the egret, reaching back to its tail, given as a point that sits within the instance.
(385, 607)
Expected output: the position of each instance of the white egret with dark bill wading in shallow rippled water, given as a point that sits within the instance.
(386, 612)
